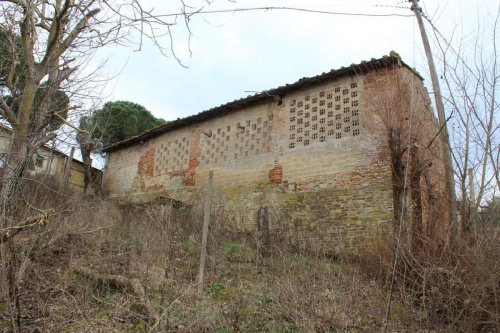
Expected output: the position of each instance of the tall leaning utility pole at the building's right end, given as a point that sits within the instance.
(448, 166)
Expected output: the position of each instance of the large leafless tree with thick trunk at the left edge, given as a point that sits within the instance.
(46, 45)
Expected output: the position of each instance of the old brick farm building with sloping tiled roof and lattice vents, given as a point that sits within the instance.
(316, 152)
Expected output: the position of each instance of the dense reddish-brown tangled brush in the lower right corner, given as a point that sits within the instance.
(448, 286)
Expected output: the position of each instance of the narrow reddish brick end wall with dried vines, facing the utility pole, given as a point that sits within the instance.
(404, 104)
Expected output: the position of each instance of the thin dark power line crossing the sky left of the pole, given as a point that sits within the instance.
(282, 8)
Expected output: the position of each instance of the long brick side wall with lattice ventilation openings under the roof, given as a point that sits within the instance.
(318, 158)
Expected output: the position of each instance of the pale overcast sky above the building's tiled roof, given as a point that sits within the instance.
(232, 55)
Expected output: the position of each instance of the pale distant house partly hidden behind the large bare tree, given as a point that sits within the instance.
(47, 161)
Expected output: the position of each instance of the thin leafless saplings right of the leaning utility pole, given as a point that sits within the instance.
(471, 76)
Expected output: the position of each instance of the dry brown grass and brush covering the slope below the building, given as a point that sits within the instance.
(97, 267)
